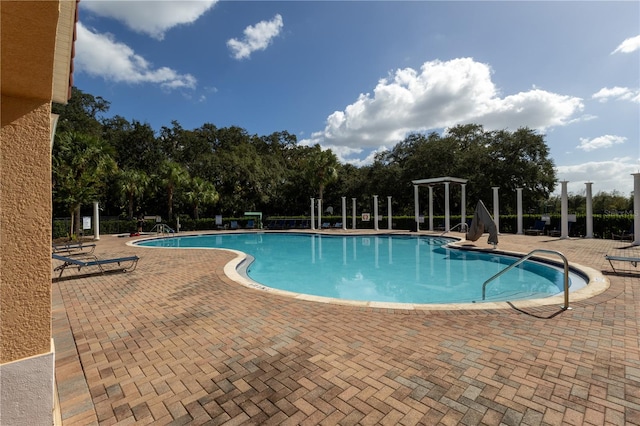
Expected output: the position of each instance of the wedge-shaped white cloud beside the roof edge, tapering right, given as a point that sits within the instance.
(100, 55)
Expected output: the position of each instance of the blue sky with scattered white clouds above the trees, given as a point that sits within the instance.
(358, 76)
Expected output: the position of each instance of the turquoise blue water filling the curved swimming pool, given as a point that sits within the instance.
(400, 269)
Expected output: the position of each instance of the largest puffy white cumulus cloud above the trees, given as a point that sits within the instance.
(440, 95)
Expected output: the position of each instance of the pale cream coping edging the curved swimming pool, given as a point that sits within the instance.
(235, 270)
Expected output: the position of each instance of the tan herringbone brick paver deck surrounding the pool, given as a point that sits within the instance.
(178, 342)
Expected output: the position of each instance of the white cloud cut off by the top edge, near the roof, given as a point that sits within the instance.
(150, 17)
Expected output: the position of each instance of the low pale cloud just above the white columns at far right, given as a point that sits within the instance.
(608, 176)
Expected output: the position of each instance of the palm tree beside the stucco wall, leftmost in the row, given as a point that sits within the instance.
(81, 164)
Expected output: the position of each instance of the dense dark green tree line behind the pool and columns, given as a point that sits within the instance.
(133, 170)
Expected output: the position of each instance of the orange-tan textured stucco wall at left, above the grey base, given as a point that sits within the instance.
(25, 228)
